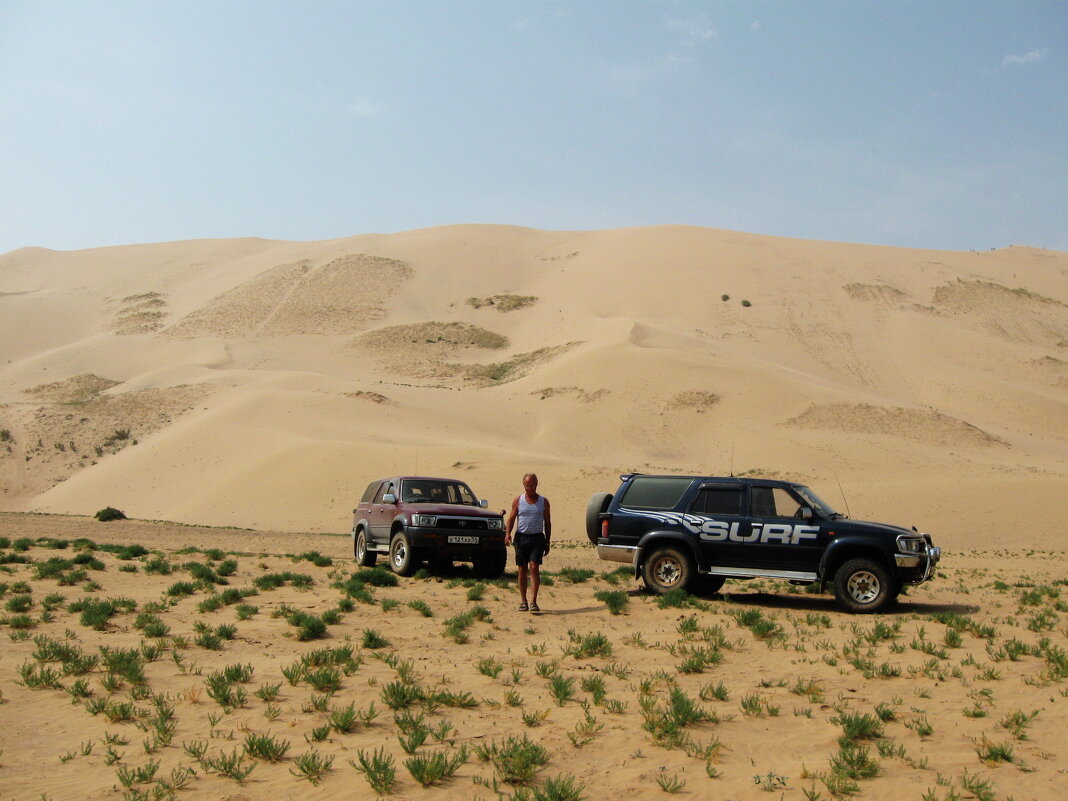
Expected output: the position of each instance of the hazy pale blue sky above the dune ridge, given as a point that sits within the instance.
(935, 124)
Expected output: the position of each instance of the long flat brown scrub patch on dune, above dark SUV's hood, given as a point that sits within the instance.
(925, 426)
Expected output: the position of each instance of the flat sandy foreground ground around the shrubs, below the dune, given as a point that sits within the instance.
(965, 681)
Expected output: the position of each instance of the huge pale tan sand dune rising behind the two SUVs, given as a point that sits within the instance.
(579, 354)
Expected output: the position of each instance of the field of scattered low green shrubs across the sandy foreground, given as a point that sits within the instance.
(102, 655)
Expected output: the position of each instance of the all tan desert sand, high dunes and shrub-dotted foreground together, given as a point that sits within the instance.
(262, 385)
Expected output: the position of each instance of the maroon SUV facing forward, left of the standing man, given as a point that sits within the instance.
(418, 520)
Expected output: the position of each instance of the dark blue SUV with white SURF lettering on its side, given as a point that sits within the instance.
(696, 532)
